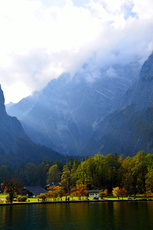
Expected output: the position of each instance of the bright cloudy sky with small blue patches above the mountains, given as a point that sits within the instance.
(41, 39)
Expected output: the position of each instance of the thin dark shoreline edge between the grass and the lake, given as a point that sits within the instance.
(71, 201)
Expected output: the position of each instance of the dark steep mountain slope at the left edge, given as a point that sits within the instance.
(15, 145)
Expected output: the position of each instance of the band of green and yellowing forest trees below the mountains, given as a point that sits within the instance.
(135, 173)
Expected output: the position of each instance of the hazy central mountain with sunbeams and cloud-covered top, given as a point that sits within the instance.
(69, 109)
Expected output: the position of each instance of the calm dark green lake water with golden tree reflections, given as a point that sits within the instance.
(81, 216)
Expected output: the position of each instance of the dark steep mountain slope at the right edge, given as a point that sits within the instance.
(130, 128)
